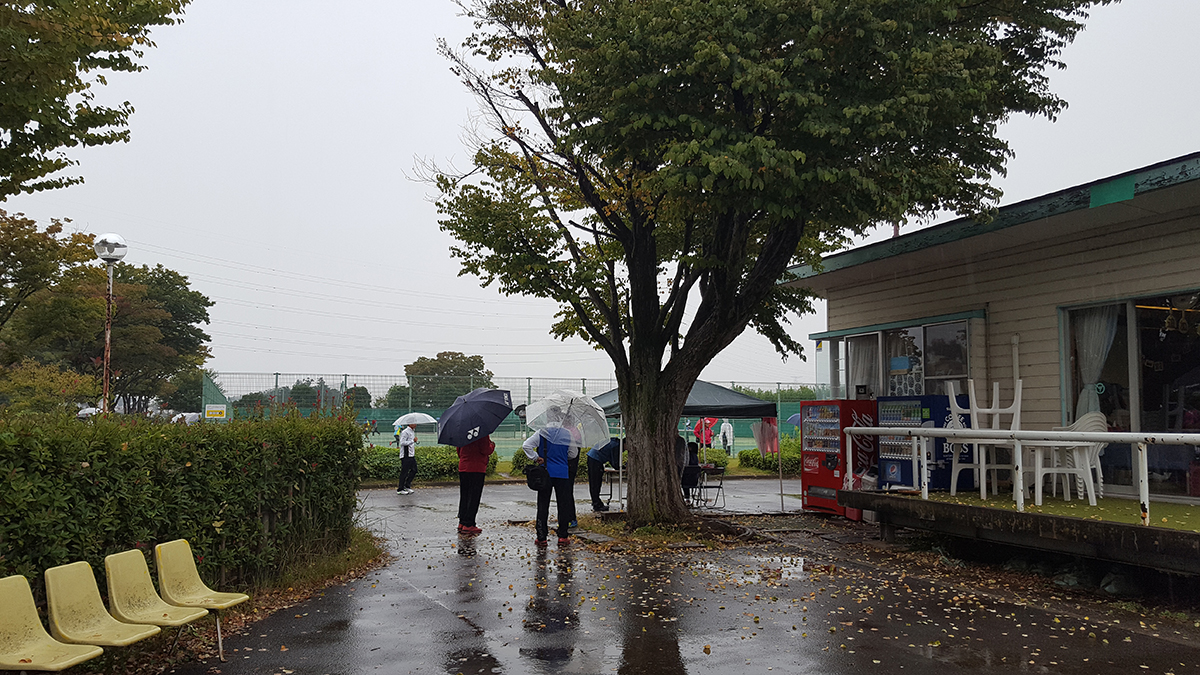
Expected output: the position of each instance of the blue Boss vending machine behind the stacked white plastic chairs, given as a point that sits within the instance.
(896, 452)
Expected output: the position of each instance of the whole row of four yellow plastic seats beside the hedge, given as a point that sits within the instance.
(81, 625)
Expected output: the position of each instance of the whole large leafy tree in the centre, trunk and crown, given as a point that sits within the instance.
(656, 166)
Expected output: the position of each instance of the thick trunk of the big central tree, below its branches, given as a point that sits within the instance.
(651, 408)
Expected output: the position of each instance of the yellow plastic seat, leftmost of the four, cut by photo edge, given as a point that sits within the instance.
(25, 643)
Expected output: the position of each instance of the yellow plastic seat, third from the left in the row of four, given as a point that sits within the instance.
(133, 599)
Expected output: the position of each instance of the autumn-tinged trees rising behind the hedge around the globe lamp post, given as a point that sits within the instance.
(52, 325)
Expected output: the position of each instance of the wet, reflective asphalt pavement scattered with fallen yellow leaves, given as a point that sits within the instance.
(812, 604)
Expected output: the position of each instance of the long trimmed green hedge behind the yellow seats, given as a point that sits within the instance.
(250, 497)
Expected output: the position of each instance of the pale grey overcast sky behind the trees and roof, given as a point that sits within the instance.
(275, 141)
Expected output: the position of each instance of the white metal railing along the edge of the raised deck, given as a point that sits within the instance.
(1018, 440)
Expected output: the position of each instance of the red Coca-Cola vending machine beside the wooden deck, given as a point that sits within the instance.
(823, 445)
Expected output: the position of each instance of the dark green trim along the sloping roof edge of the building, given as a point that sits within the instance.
(1097, 194)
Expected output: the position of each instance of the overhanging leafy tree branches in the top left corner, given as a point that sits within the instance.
(56, 55)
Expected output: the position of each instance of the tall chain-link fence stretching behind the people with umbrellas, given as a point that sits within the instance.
(381, 399)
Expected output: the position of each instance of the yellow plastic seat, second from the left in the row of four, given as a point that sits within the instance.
(77, 616)
